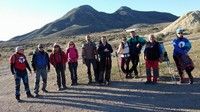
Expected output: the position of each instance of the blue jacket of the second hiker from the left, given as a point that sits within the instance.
(40, 60)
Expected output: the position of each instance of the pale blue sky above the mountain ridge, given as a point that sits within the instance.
(18, 17)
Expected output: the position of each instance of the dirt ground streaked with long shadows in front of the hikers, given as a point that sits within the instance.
(131, 95)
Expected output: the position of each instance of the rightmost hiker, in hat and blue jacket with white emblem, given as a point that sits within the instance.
(180, 54)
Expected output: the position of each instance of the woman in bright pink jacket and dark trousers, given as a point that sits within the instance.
(72, 58)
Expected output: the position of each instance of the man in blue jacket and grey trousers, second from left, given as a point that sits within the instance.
(41, 65)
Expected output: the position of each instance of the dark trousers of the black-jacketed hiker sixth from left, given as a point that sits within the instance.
(105, 68)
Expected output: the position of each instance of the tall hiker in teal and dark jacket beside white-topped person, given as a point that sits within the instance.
(135, 45)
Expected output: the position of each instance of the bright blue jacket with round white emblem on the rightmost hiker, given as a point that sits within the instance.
(181, 46)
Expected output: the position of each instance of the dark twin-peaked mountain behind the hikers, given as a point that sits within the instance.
(86, 19)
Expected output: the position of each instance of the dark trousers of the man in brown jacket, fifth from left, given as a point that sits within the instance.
(88, 63)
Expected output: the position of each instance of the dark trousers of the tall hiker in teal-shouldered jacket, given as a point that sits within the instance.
(134, 60)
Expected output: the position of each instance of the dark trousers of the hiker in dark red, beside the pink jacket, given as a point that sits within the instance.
(60, 71)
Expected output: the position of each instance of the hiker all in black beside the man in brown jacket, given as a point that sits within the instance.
(104, 51)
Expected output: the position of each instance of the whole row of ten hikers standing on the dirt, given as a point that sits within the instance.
(100, 58)
